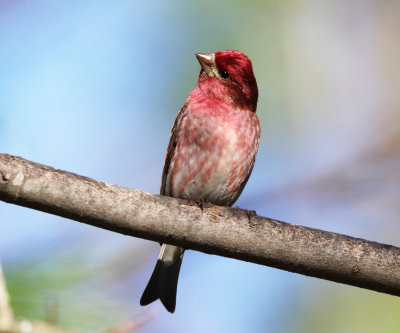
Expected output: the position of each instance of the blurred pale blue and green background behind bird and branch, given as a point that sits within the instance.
(93, 87)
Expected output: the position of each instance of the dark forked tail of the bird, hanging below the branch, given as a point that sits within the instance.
(164, 280)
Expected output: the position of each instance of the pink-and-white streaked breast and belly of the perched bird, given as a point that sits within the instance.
(214, 156)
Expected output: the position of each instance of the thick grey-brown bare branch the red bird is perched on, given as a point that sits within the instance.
(215, 230)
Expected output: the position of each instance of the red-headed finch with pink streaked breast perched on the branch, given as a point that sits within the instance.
(211, 152)
